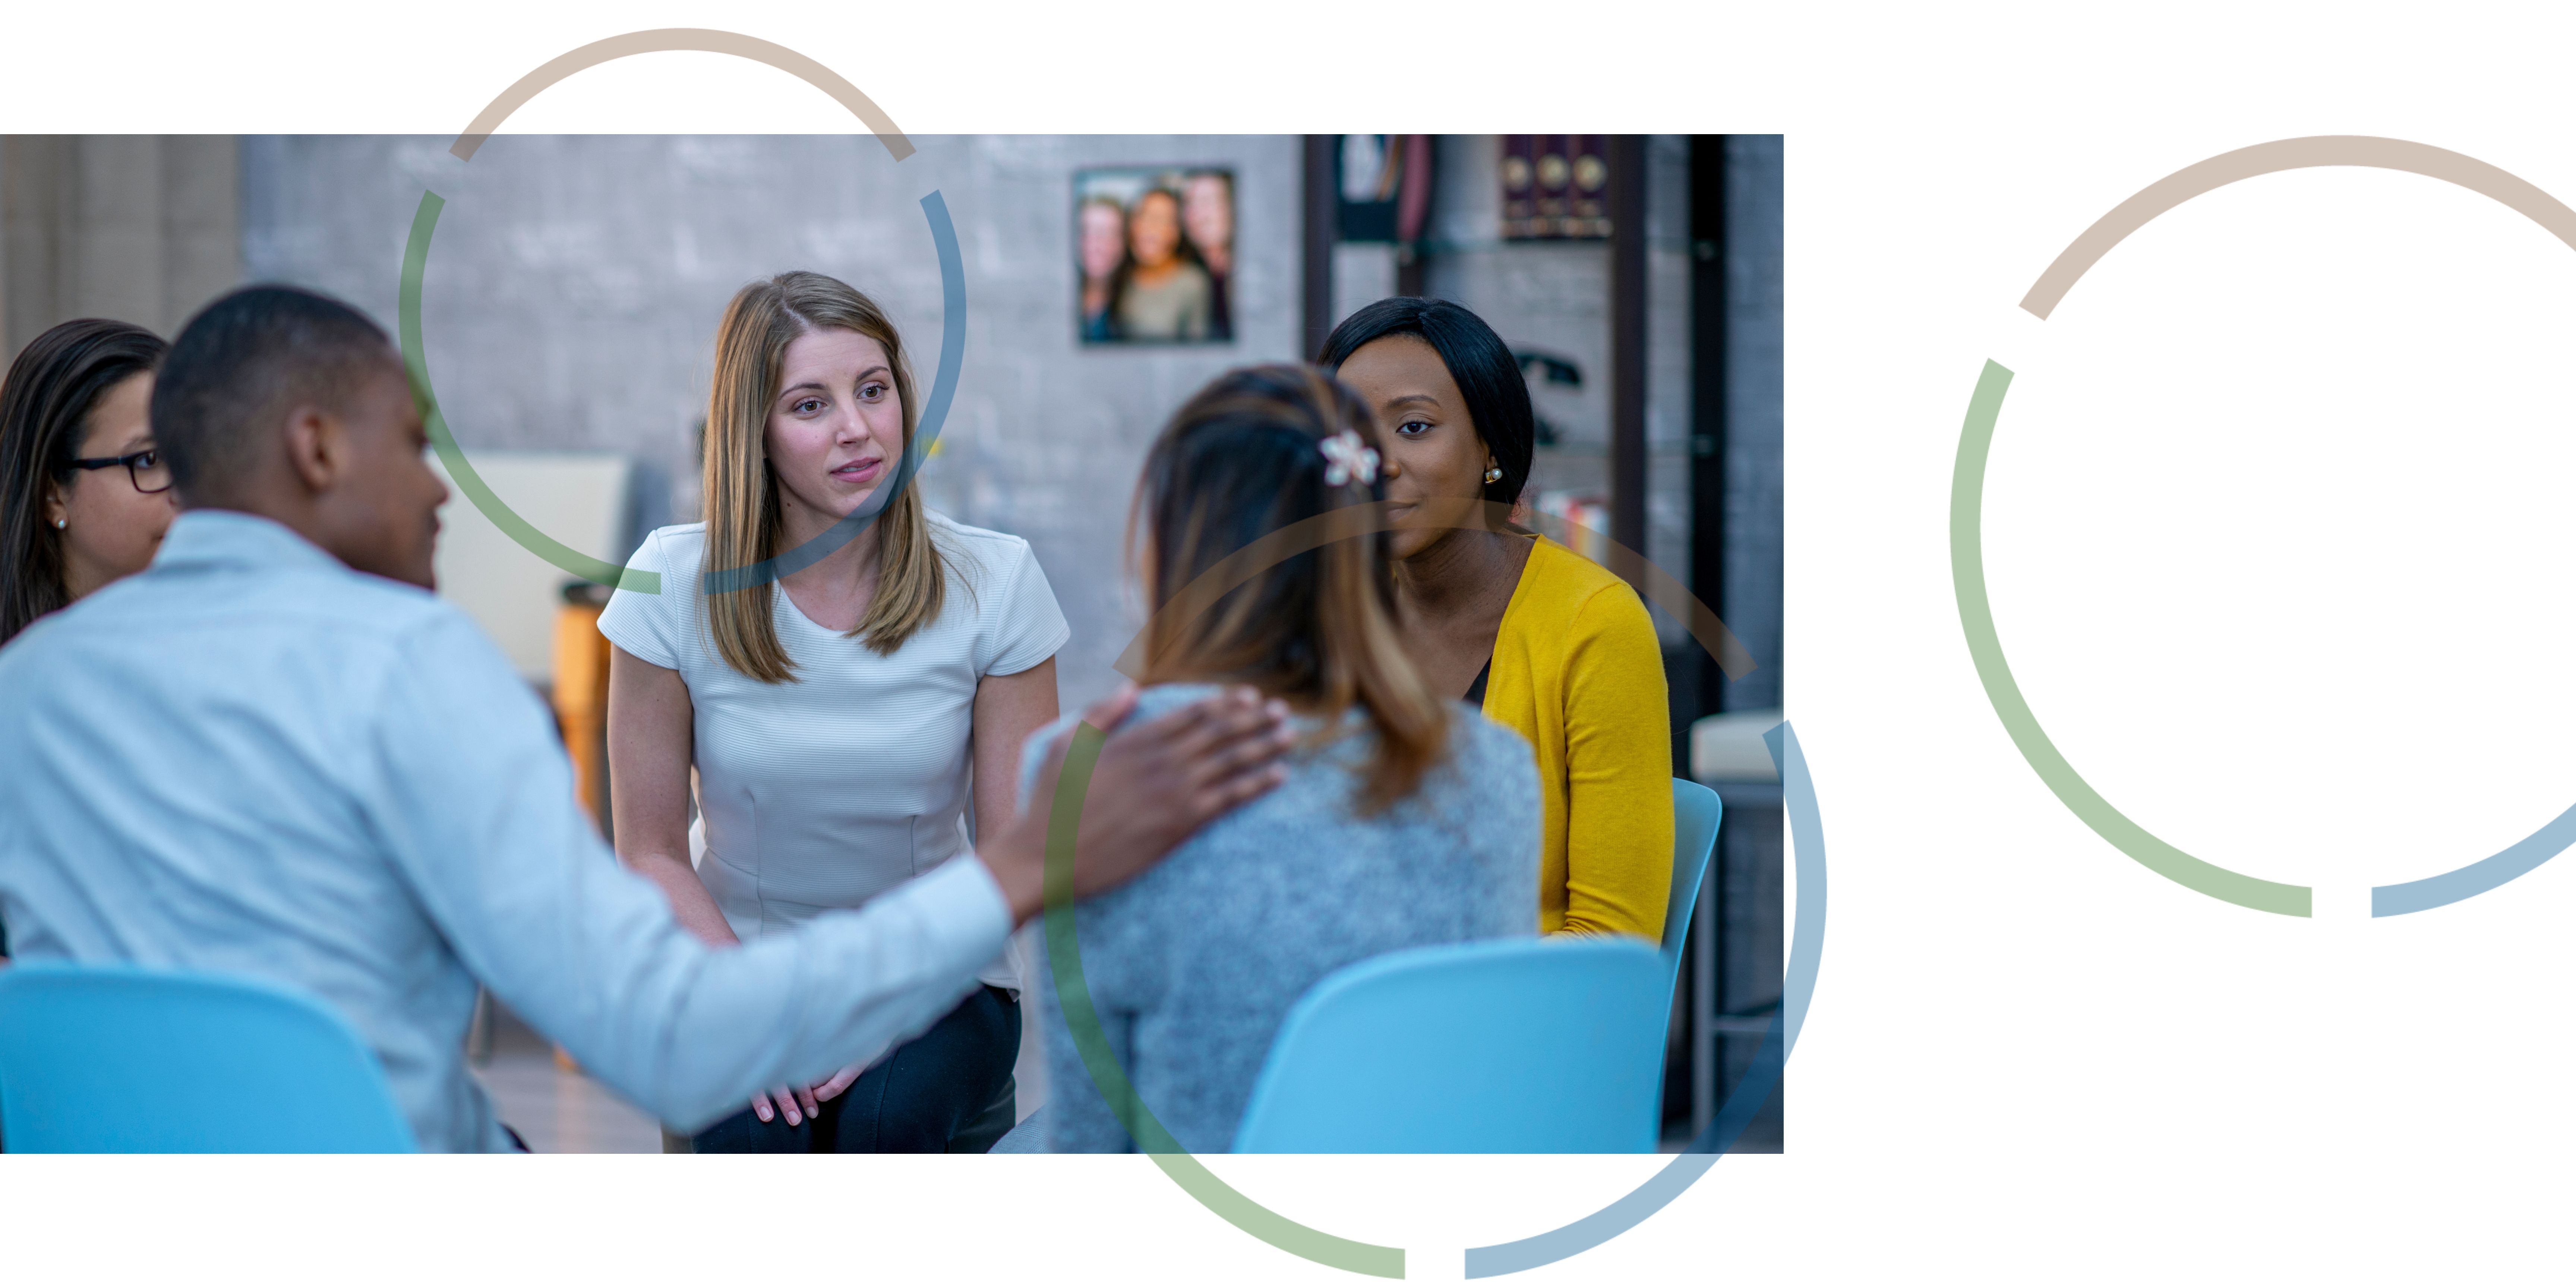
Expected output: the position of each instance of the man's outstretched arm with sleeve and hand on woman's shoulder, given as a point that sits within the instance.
(478, 813)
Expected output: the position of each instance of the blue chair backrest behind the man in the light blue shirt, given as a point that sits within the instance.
(128, 1060)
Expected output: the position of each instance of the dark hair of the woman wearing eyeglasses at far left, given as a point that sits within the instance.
(45, 413)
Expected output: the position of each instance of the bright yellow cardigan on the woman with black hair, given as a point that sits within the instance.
(1580, 674)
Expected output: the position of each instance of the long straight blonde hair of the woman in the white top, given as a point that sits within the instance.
(743, 493)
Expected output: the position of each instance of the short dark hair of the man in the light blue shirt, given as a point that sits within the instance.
(246, 362)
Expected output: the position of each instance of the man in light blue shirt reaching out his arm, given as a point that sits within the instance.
(274, 753)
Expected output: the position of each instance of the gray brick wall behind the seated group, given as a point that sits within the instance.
(576, 285)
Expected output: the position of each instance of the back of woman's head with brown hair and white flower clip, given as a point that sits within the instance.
(1312, 614)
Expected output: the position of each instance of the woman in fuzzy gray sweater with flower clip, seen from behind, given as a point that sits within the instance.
(1405, 820)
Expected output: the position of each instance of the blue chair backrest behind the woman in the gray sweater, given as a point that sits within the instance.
(1503, 1047)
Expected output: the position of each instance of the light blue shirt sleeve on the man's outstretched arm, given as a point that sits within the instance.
(473, 800)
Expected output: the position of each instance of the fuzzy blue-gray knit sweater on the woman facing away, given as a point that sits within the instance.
(1197, 962)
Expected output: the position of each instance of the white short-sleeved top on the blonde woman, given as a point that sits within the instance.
(851, 779)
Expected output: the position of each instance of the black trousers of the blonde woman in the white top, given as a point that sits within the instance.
(908, 1104)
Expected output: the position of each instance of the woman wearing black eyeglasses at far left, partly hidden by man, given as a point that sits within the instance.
(84, 498)
